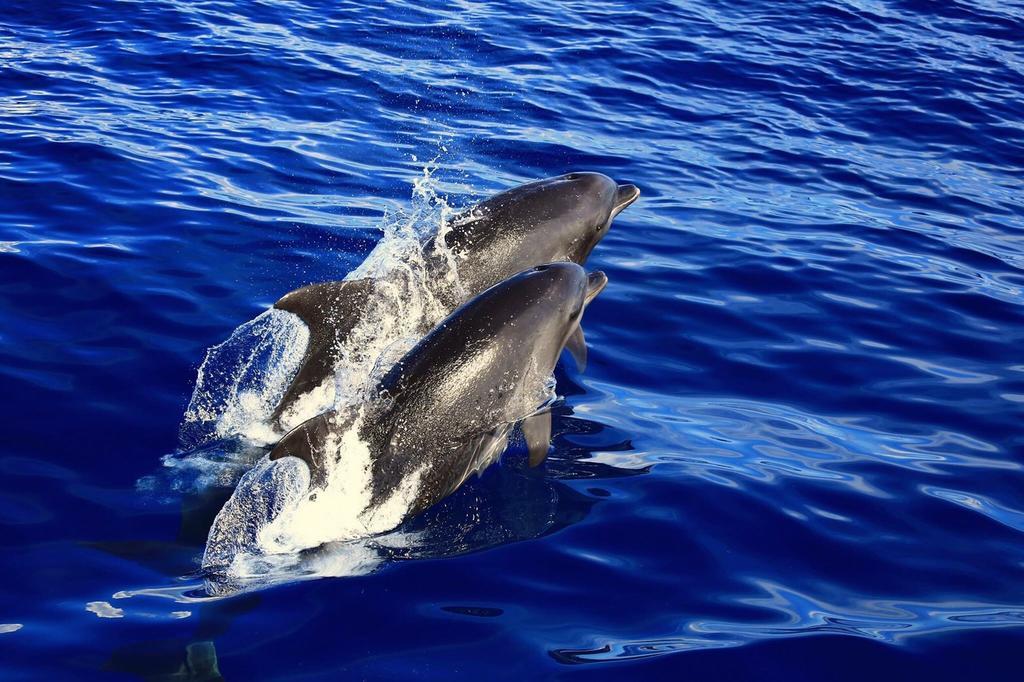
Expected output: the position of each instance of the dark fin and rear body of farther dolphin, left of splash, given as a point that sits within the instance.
(330, 311)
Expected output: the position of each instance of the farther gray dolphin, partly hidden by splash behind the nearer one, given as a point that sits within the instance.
(556, 220)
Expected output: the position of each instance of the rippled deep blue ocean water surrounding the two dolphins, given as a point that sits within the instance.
(796, 454)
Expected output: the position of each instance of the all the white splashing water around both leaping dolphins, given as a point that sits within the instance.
(271, 517)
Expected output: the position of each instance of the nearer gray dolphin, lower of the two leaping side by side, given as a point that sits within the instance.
(447, 409)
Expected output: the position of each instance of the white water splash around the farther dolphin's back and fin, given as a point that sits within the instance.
(242, 380)
